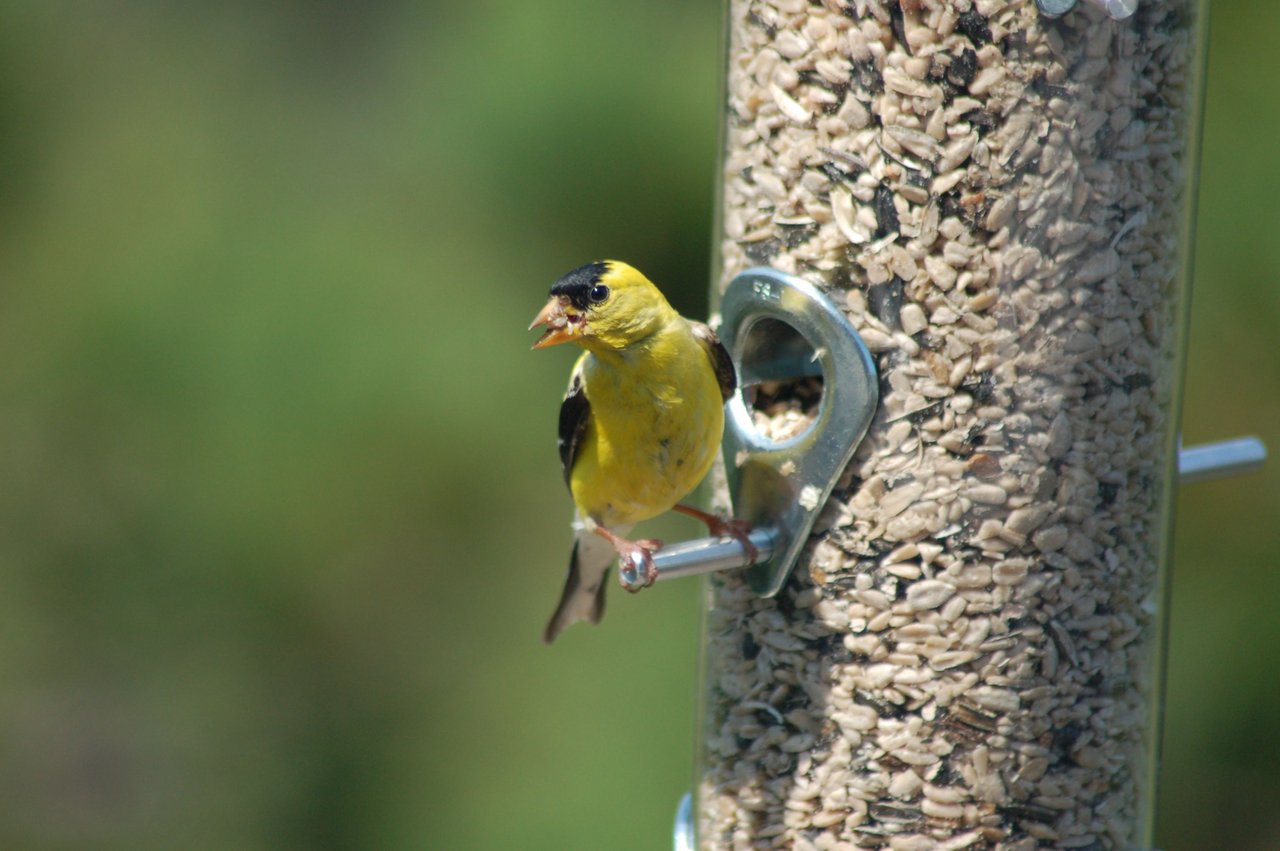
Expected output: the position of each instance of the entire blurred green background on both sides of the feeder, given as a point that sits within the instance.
(281, 515)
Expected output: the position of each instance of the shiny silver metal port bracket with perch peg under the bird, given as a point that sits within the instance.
(781, 328)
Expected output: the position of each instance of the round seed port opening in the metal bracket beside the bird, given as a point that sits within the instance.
(783, 379)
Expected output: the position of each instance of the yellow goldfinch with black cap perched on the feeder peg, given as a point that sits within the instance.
(639, 427)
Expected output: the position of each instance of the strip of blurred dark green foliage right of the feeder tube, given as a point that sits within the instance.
(1223, 699)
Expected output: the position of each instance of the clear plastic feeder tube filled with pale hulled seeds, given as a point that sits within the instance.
(970, 655)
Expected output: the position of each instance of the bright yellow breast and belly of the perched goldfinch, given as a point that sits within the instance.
(655, 429)
